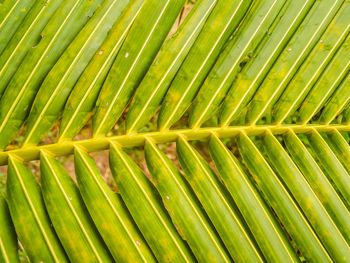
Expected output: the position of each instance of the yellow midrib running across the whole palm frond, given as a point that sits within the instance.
(63, 148)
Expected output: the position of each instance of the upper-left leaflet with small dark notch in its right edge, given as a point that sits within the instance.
(26, 37)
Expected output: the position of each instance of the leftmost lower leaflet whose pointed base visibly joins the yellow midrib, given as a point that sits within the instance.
(27, 209)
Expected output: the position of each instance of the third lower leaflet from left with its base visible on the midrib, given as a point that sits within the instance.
(109, 213)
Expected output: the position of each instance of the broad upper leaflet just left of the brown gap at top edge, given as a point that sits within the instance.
(137, 53)
